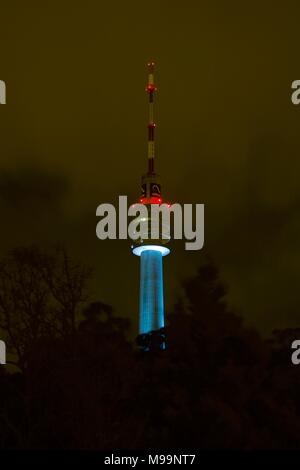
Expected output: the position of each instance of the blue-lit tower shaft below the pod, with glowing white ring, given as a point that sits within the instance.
(151, 318)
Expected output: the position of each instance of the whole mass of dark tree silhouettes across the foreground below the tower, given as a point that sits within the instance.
(84, 385)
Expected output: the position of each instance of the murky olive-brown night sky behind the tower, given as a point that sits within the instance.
(74, 135)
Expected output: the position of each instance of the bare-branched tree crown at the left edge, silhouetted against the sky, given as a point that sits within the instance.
(40, 296)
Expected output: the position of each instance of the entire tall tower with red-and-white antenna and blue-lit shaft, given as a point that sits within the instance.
(151, 251)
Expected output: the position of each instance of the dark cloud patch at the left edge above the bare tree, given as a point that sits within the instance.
(31, 205)
